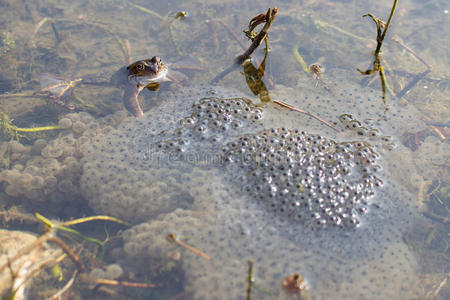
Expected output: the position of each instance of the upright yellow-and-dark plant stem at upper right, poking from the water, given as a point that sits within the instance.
(377, 66)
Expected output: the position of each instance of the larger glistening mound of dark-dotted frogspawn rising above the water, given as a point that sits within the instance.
(307, 177)
